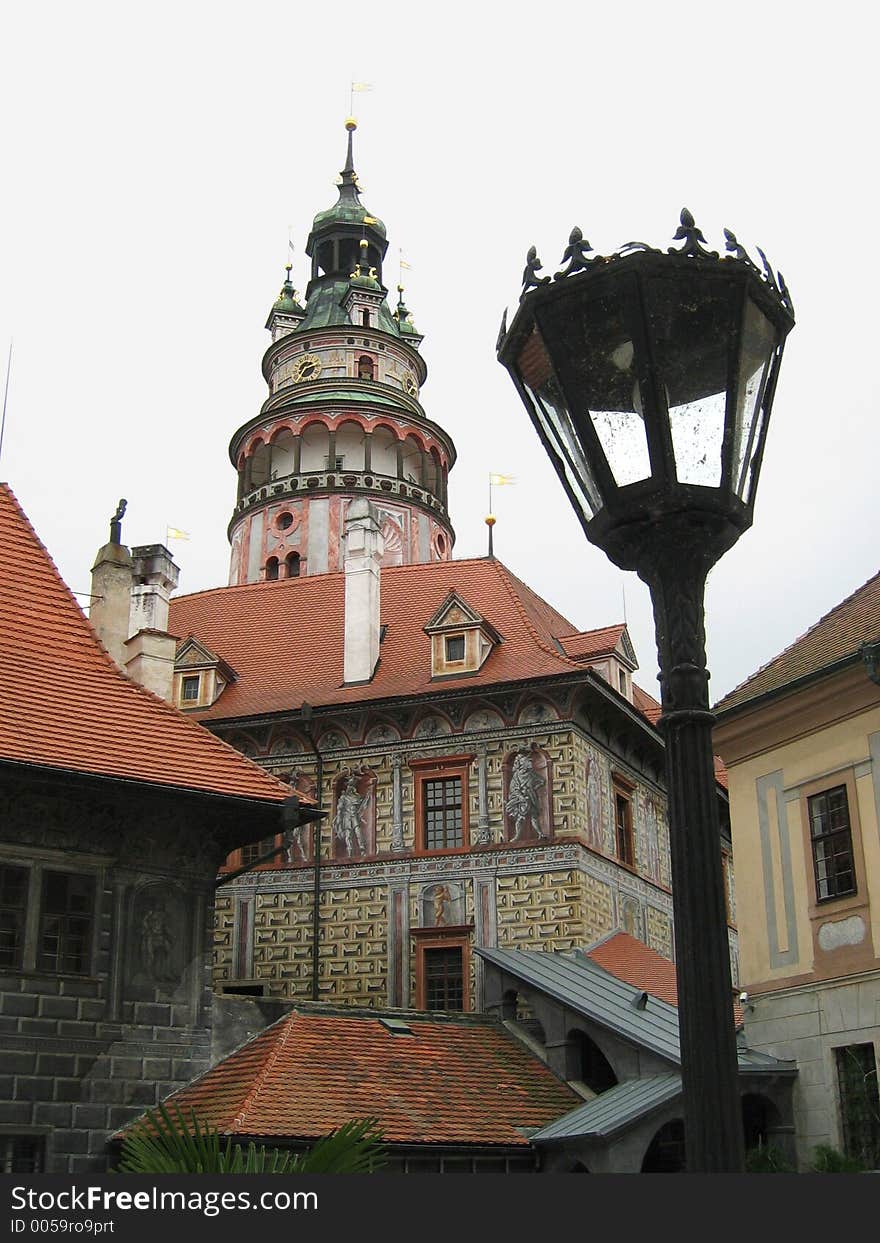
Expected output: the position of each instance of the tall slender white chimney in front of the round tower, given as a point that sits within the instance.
(364, 546)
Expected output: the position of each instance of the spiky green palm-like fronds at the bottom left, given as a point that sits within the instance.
(163, 1144)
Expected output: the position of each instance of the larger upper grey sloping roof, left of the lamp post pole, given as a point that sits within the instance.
(590, 990)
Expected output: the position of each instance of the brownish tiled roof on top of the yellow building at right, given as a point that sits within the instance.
(835, 637)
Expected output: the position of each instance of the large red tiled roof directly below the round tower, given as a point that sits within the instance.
(285, 638)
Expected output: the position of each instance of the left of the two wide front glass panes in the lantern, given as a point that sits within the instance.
(606, 380)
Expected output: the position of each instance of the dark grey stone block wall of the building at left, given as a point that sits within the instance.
(84, 1055)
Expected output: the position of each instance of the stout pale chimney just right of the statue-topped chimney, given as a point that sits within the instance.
(150, 653)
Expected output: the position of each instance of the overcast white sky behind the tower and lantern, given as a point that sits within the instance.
(155, 157)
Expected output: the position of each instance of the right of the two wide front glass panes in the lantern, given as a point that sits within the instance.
(693, 326)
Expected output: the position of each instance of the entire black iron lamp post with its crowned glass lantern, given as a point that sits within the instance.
(649, 377)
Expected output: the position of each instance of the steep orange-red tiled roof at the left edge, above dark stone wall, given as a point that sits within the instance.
(64, 704)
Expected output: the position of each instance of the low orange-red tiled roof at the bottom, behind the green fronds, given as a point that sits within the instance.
(447, 1083)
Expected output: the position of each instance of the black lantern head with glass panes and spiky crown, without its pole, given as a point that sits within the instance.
(649, 377)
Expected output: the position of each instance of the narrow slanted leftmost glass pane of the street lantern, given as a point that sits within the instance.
(555, 421)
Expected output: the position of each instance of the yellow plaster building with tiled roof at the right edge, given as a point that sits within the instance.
(801, 740)
